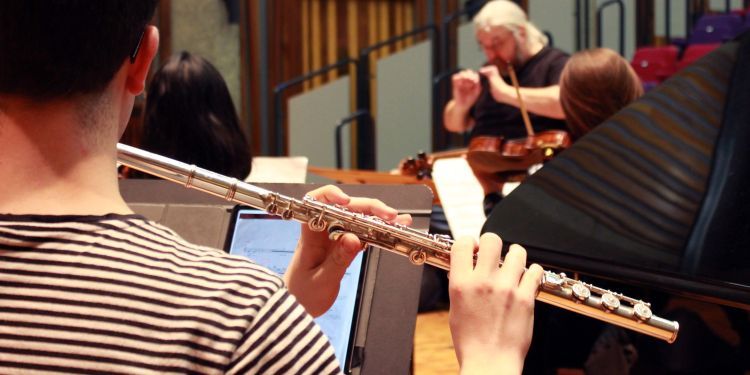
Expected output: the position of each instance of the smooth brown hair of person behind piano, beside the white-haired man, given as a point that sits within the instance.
(594, 85)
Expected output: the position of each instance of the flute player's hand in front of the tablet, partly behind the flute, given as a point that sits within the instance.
(319, 263)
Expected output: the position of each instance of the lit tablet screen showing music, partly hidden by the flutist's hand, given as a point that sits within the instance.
(270, 241)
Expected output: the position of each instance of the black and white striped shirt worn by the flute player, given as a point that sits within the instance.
(121, 294)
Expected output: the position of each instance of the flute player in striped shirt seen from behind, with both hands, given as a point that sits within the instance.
(90, 287)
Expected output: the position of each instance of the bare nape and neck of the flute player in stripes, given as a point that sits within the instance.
(51, 163)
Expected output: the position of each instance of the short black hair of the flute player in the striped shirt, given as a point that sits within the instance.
(55, 48)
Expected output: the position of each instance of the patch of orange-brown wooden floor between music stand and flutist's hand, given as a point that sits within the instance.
(433, 347)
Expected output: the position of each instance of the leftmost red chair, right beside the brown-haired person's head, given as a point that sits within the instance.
(655, 64)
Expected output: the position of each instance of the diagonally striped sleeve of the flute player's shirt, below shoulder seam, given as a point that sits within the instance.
(283, 339)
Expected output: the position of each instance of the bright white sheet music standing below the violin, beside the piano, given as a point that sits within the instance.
(461, 196)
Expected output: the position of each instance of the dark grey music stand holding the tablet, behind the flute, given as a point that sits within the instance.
(388, 309)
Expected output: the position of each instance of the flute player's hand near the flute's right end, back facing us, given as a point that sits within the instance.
(492, 308)
